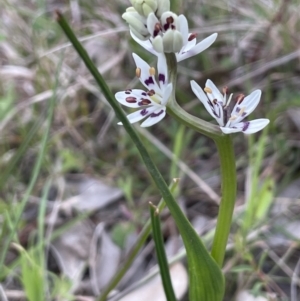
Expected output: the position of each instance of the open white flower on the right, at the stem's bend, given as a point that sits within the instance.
(230, 121)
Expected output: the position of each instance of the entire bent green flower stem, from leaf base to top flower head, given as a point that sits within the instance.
(227, 162)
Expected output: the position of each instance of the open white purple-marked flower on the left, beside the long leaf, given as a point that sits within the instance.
(151, 103)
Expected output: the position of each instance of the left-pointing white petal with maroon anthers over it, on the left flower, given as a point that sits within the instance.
(133, 98)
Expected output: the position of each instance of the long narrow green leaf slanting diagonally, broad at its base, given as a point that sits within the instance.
(206, 278)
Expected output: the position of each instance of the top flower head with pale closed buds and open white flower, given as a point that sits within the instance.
(159, 30)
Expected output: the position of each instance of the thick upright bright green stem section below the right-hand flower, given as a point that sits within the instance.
(228, 180)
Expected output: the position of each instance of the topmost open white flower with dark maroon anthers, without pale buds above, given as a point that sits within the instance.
(170, 34)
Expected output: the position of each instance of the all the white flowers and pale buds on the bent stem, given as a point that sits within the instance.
(160, 31)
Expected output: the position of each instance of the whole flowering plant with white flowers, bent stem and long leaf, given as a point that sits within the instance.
(167, 36)
